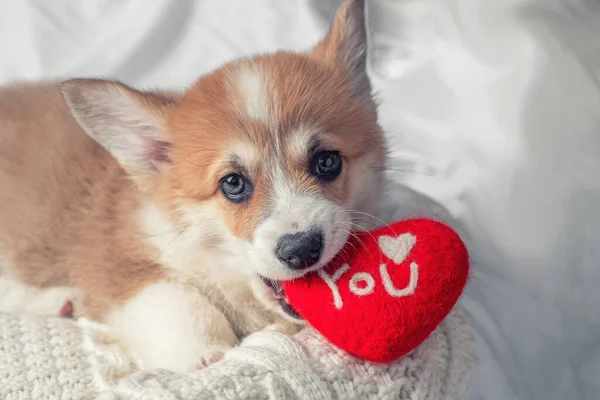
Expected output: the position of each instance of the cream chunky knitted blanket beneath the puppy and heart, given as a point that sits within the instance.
(62, 359)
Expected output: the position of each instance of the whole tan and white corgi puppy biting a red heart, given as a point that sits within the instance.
(171, 217)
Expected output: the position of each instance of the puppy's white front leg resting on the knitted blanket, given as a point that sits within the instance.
(171, 325)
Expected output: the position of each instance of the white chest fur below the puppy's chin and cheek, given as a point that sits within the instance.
(196, 255)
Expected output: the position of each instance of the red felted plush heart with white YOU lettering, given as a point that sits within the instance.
(386, 291)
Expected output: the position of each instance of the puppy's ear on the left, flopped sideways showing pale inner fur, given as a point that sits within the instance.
(126, 122)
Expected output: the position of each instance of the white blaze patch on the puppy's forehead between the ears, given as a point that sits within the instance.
(252, 87)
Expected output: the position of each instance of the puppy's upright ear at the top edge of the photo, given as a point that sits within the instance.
(346, 45)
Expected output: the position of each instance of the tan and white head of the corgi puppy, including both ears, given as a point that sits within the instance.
(275, 158)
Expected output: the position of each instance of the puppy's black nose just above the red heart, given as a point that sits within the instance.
(300, 250)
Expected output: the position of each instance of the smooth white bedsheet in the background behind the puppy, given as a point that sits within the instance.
(493, 112)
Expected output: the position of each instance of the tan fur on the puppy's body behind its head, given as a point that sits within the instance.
(66, 205)
